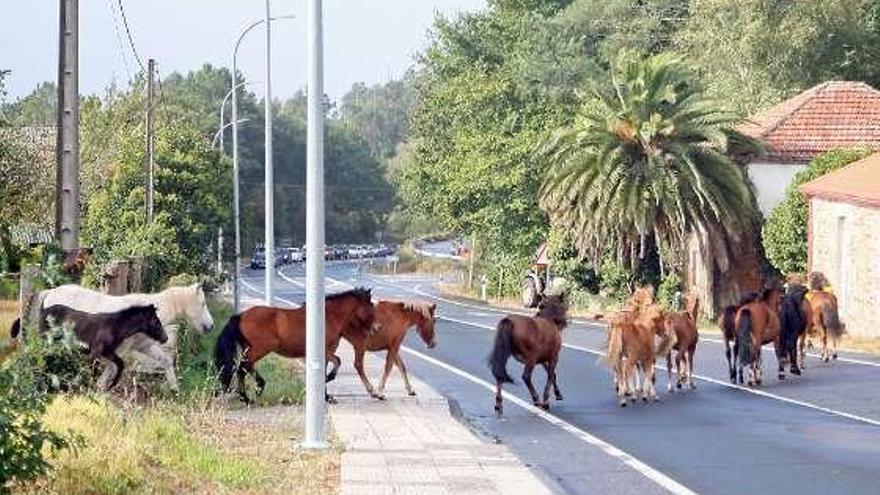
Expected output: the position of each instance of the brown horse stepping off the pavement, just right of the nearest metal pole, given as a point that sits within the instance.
(393, 319)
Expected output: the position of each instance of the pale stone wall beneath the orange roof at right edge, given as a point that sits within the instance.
(845, 247)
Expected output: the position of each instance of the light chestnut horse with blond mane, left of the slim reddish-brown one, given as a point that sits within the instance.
(631, 351)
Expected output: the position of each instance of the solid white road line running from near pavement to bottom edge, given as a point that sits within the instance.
(642, 468)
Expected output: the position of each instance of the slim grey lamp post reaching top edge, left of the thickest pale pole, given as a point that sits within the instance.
(269, 201)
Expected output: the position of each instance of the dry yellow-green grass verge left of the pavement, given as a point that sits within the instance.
(167, 448)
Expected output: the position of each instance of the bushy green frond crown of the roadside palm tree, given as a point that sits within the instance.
(646, 165)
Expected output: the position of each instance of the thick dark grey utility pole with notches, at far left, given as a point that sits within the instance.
(67, 140)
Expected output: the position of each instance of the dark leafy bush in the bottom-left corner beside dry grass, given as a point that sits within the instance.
(46, 364)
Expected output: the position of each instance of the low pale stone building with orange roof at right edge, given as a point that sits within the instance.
(844, 226)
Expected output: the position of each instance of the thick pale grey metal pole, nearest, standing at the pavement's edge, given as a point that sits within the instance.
(315, 359)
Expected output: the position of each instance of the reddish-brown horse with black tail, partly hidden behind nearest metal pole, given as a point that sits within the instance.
(262, 329)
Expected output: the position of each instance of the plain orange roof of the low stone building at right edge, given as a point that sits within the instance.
(857, 183)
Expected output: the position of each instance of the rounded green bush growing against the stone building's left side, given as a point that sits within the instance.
(785, 232)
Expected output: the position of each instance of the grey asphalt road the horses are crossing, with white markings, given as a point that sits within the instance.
(818, 433)
